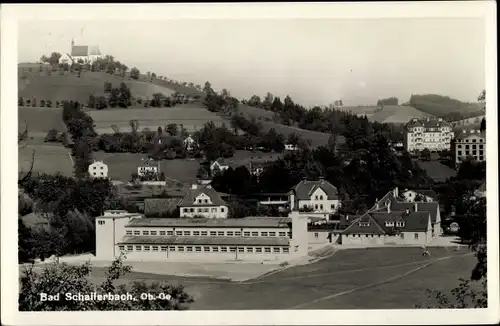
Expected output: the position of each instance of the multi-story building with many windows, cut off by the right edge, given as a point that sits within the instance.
(469, 143)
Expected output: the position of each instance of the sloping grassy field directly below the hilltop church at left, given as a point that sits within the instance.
(70, 87)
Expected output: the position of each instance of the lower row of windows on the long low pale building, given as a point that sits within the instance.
(268, 250)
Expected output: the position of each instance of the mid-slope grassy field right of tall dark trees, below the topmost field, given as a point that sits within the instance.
(191, 116)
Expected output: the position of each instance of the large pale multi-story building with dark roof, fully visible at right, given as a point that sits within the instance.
(427, 133)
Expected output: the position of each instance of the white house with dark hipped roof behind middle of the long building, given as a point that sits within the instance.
(203, 201)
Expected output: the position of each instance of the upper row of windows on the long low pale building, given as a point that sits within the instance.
(211, 233)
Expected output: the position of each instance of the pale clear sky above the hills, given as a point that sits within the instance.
(315, 61)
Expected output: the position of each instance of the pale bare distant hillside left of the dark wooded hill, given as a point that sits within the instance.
(388, 114)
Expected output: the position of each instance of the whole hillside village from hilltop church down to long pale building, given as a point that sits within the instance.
(114, 162)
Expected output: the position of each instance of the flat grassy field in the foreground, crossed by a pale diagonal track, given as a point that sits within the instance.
(377, 278)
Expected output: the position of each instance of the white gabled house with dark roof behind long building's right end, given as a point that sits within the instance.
(315, 198)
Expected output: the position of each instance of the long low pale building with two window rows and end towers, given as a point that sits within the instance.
(186, 239)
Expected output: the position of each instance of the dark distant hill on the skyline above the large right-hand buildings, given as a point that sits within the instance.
(443, 106)
